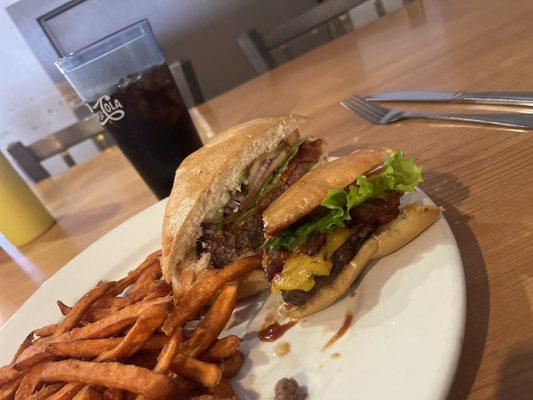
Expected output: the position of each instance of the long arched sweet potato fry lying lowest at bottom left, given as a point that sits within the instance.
(108, 374)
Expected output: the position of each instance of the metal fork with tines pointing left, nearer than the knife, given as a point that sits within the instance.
(376, 114)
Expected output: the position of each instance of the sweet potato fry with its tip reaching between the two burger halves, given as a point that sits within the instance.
(201, 292)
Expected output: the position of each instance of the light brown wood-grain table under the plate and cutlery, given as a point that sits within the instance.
(482, 176)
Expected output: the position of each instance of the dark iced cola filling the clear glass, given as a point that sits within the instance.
(148, 119)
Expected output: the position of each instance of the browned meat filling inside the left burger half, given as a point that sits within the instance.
(244, 236)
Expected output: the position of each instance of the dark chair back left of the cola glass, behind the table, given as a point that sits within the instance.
(29, 157)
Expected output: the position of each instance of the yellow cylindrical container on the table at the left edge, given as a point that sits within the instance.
(23, 217)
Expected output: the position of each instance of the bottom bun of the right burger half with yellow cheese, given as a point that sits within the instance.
(413, 220)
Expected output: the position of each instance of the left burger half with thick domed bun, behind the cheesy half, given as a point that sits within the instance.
(213, 214)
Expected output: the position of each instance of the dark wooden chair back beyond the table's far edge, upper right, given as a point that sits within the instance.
(336, 15)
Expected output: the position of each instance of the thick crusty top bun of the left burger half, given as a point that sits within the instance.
(203, 182)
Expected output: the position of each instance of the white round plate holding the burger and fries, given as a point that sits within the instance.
(404, 342)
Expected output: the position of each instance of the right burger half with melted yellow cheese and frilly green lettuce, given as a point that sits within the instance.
(325, 228)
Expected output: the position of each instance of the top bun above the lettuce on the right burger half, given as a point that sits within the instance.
(308, 192)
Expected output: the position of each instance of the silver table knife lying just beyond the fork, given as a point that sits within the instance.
(513, 98)
